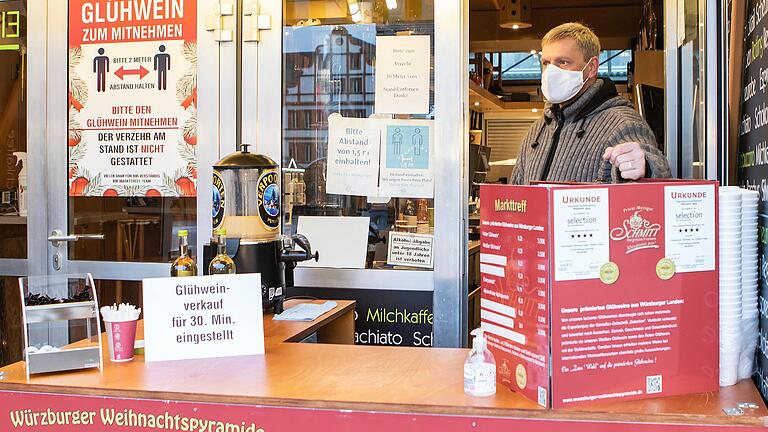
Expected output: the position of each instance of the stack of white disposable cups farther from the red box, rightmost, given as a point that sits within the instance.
(749, 282)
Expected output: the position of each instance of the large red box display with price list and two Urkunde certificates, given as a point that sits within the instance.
(617, 283)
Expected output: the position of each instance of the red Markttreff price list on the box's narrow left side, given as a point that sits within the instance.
(514, 271)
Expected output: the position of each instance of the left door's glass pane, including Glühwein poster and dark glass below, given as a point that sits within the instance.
(132, 133)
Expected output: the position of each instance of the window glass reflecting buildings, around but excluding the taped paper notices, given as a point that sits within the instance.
(329, 51)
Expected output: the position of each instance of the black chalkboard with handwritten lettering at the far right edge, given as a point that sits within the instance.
(753, 152)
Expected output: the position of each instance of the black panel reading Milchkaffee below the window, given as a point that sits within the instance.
(383, 317)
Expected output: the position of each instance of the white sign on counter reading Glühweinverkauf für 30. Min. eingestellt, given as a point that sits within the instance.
(203, 317)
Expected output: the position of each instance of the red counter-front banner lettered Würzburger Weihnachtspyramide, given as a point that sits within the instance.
(41, 412)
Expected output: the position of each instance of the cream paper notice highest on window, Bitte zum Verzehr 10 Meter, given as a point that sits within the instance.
(402, 74)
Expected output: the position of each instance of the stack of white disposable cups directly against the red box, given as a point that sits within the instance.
(730, 285)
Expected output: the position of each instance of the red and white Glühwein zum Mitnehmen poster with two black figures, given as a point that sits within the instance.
(132, 98)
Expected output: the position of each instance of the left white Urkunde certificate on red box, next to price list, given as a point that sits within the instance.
(581, 233)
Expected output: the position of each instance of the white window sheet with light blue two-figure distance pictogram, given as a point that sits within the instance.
(407, 168)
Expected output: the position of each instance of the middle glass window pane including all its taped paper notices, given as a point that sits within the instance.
(358, 144)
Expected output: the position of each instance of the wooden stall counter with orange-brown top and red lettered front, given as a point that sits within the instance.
(325, 386)
